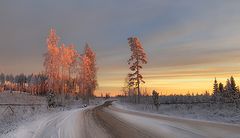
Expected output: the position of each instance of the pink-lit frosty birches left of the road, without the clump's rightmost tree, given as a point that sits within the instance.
(60, 64)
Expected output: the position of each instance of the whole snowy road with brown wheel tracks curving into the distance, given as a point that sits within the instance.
(110, 121)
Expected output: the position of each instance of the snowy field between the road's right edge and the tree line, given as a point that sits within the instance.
(227, 113)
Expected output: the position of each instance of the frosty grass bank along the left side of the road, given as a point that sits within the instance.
(10, 121)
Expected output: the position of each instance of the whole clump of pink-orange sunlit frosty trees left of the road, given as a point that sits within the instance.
(66, 69)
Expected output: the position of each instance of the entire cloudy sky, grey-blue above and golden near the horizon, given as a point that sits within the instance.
(188, 42)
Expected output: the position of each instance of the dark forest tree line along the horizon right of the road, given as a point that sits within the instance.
(221, 94)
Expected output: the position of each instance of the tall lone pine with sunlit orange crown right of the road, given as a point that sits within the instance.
(137, 59)
